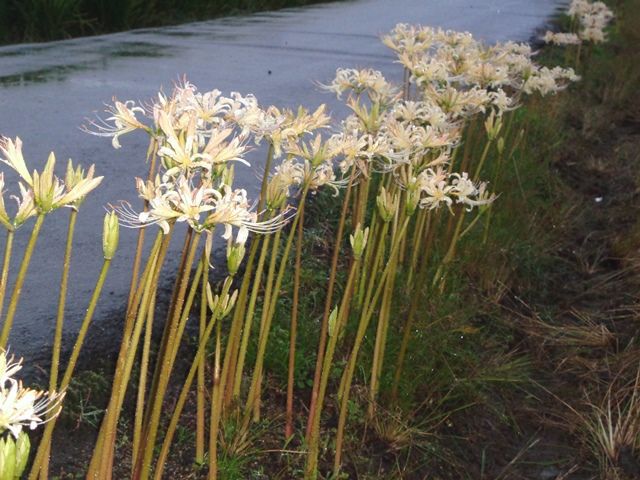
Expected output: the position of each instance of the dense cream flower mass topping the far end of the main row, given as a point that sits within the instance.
(457, 71)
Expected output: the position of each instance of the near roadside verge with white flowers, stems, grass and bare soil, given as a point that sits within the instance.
(442, 285)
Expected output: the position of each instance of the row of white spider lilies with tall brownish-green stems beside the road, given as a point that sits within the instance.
(404, 208)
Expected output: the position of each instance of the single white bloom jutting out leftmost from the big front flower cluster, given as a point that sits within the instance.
(122, 120)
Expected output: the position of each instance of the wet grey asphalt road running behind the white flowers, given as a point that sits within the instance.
(48, 90)
